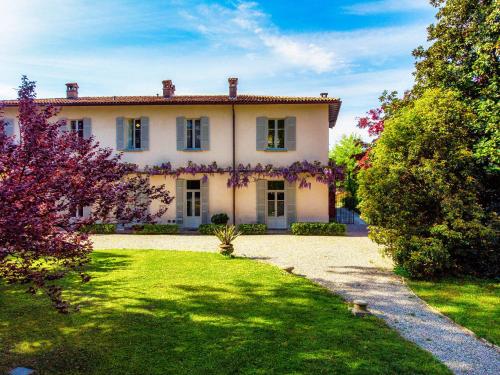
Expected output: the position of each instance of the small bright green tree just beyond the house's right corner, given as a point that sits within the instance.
(345, 154)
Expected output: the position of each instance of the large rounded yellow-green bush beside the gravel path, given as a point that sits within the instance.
(421, 195)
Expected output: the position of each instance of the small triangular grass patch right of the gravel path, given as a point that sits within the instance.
(472, 303)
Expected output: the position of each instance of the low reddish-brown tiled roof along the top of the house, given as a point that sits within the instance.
(334, 103)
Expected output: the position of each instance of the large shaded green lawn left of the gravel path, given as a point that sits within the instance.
(165, 312)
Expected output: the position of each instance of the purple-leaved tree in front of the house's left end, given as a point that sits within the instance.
(44, 176)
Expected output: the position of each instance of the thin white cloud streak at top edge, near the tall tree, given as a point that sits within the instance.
(387, 6)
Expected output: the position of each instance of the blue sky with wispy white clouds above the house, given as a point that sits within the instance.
(350, 49)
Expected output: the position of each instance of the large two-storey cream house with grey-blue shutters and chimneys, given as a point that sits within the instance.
(244, 133)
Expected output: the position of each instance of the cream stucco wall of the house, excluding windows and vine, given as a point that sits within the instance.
(311, 145)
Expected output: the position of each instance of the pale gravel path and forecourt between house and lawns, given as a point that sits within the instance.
(352, 267)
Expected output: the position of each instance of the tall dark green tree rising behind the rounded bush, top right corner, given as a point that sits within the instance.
(463, 55)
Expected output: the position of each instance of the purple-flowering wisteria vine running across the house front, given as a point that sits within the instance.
(299, 171)
